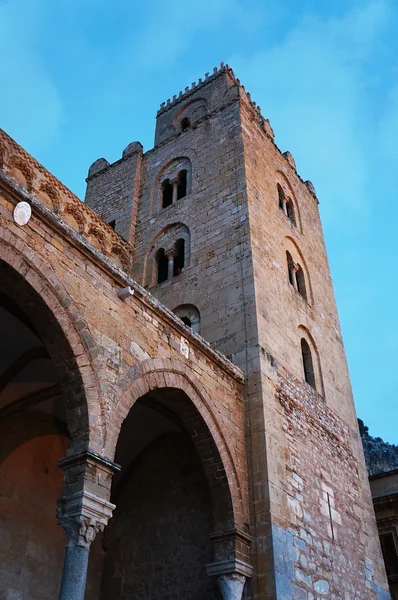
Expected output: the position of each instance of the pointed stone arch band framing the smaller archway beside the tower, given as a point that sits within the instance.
(201, 424)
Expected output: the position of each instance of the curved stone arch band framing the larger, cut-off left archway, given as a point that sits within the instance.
(65, 336)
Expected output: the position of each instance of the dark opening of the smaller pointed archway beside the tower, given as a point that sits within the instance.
(171, 495)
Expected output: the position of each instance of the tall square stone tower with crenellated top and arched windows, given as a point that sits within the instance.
(228, 236)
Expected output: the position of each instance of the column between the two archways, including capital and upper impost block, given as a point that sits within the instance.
(83, 511)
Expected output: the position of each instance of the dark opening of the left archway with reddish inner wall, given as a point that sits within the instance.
(38, 379)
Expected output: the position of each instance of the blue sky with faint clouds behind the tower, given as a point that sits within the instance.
(83, 78)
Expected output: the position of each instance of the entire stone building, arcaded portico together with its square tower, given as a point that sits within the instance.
(175, 404)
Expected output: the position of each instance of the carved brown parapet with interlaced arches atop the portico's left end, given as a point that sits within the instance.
(29, 174)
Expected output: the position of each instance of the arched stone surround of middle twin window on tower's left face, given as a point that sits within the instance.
(166, 239)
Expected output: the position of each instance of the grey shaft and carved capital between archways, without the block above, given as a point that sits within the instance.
(82, 516)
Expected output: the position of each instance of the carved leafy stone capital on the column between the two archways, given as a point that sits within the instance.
(83, 515)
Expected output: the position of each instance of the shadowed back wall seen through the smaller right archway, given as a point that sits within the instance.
(158, 545)
